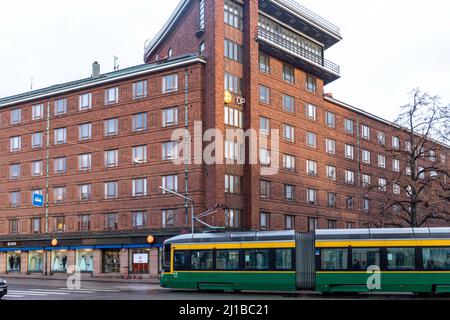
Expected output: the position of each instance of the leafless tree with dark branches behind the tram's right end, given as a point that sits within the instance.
(421, 190)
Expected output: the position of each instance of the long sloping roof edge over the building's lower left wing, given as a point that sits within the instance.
(102, 79)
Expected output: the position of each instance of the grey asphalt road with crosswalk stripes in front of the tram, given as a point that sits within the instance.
(35, 289)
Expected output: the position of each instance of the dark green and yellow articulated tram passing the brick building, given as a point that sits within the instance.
(359, 260)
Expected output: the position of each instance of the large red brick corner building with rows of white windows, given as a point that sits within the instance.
(98, 149)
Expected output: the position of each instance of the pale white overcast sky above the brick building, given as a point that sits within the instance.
(389, 47)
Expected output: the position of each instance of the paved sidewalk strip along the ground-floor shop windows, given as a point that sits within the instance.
(83, 278)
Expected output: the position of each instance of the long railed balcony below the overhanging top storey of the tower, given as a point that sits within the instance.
(275, 45)
